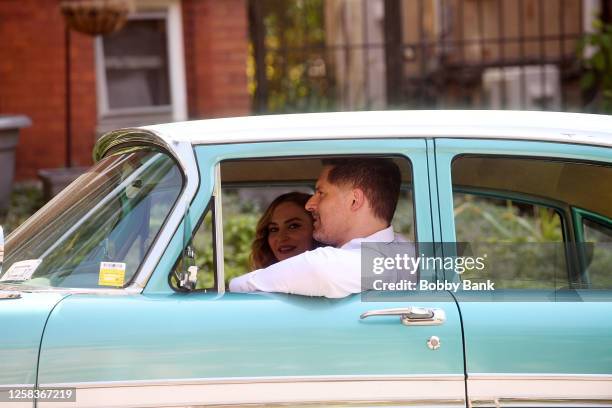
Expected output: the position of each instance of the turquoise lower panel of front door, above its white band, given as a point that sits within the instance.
(100, 340)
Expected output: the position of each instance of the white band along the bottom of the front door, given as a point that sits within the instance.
(447, 390)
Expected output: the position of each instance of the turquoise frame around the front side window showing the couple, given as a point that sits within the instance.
(208, 156)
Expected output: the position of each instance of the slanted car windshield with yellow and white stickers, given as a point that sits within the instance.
(96, 233)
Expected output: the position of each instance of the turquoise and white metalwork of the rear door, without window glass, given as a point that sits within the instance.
(518, 343)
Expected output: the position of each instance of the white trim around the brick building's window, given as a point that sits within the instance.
(171, 11)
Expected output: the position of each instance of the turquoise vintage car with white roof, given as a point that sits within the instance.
(116, 288)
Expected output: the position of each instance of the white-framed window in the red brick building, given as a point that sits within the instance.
(140, 69)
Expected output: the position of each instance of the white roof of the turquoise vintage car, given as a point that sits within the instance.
(530, 125)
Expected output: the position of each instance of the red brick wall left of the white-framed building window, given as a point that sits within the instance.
(32, 82)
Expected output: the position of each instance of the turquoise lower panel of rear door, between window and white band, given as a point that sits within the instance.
(566, 336)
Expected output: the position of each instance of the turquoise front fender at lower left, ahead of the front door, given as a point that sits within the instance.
(23, 316)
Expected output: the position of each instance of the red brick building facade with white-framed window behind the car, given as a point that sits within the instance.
(208, 37)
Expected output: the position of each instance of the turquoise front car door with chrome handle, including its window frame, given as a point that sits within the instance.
(164, 347)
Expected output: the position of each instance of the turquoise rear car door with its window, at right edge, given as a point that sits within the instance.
(544, 334)
